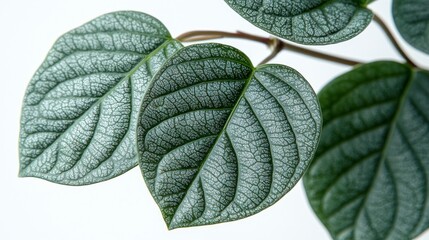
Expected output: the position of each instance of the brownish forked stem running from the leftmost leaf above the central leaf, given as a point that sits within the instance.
(275, 43)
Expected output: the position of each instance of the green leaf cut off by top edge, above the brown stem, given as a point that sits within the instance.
(311, 22)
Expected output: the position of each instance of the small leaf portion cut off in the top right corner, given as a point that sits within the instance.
(412, 20)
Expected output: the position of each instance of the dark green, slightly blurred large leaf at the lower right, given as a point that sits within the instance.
(369, 179)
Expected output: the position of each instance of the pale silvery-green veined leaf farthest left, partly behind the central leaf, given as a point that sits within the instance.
(80, 109)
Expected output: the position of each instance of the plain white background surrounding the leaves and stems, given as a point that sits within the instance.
(123, 208)
